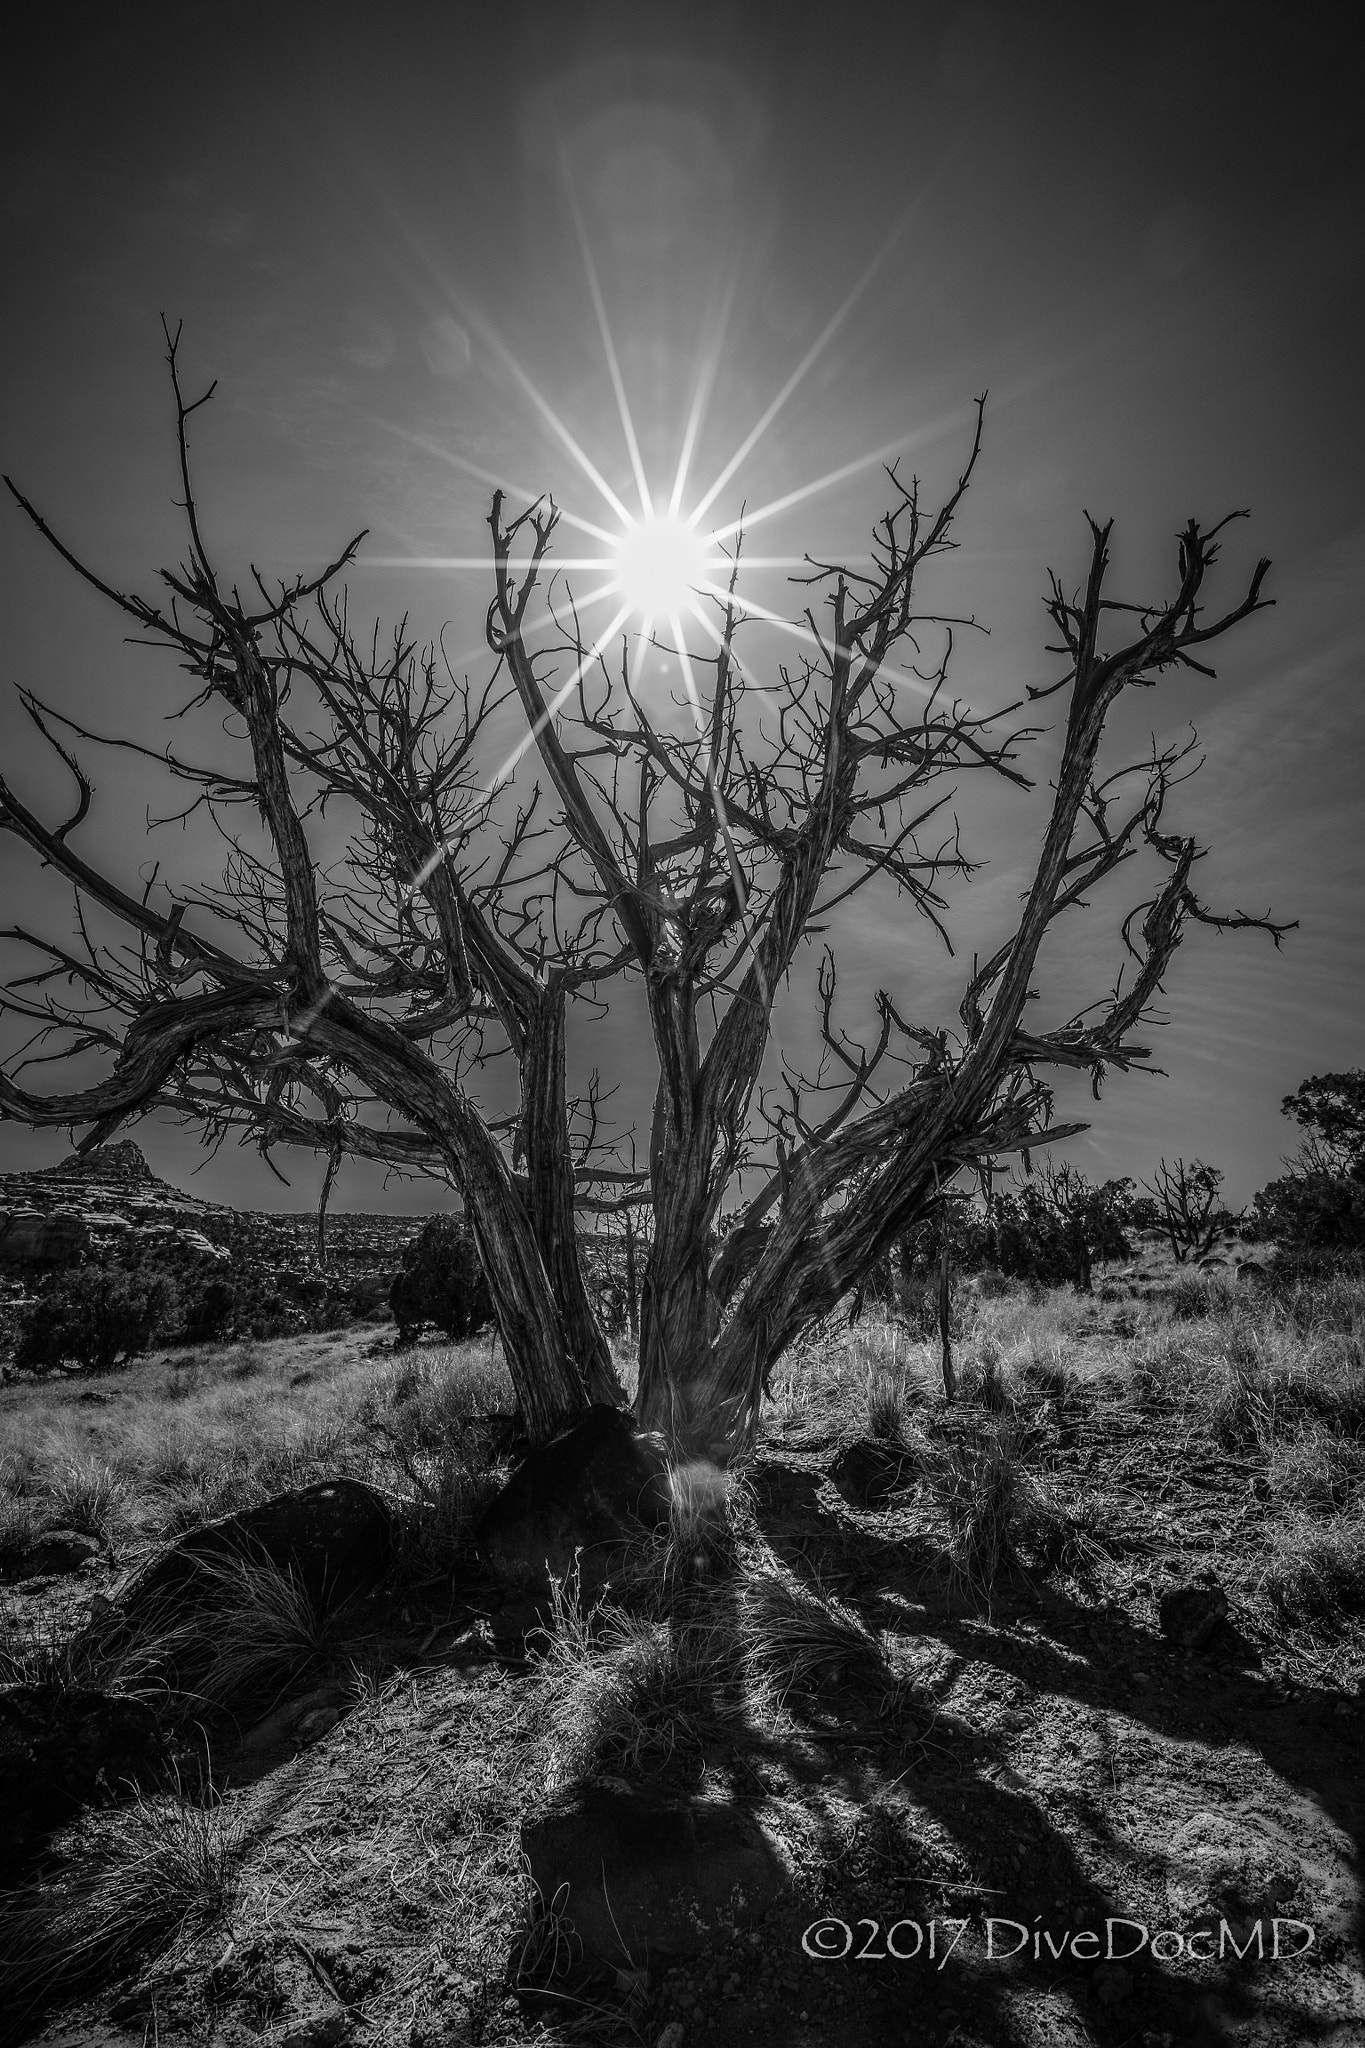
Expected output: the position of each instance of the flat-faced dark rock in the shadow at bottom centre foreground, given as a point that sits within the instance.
(644, 1875)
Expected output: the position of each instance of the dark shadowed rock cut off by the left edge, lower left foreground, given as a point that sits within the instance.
(62, 1750)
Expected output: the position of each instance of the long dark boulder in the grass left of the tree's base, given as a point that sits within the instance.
(335, 1537)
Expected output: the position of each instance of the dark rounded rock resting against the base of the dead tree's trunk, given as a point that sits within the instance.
(582, 1496)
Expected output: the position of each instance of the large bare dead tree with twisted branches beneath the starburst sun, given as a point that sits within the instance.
(353, 1005)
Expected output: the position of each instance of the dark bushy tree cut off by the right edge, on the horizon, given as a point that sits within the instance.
(1317, 1211)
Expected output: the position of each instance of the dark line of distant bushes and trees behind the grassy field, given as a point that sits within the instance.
(1049, 1230)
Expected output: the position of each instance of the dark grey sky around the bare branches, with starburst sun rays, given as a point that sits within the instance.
(1139, 230)
